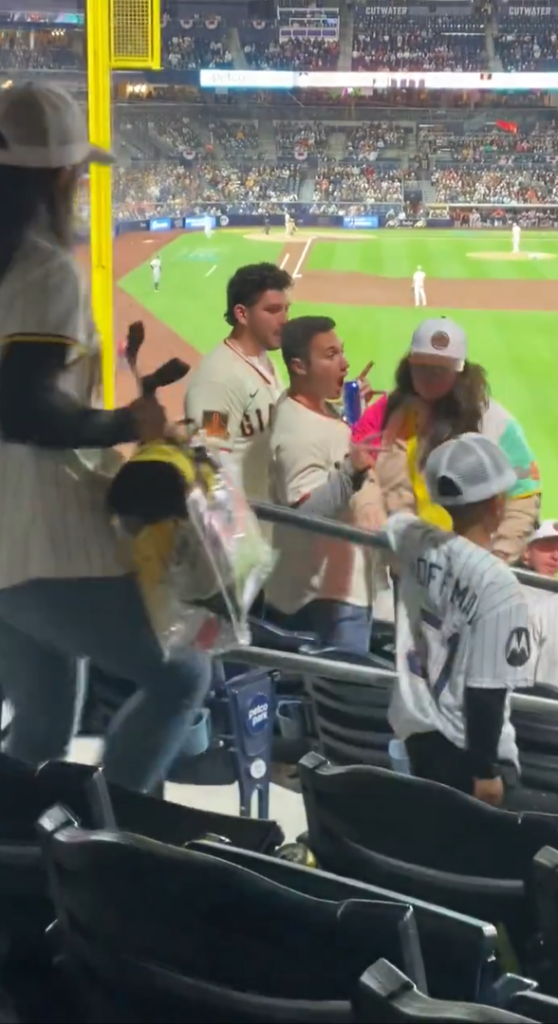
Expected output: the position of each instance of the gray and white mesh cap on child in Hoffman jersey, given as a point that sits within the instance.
(468, 470)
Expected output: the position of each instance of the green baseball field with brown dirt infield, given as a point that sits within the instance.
(507, 304)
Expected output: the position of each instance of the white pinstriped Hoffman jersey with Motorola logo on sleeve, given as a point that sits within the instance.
(462, 622)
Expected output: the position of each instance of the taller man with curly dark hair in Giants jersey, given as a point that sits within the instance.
(233, 393)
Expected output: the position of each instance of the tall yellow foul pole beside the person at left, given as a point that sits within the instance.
(99, 88)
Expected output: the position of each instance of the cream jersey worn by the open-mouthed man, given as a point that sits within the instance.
(307, 447)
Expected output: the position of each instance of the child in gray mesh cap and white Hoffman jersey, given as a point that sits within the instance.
(463, 638)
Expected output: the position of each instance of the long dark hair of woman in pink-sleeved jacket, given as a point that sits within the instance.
(459, 412)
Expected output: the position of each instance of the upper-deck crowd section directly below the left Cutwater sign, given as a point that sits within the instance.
(419, 45)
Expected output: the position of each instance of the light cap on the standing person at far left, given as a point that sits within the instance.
(42, 126)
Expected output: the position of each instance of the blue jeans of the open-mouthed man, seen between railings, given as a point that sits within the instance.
(336, 623)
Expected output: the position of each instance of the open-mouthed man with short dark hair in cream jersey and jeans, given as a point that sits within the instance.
(319, 585)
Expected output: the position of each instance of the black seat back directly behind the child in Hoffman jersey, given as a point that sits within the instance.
(426, 840)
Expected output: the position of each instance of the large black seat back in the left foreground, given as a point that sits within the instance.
(190, 936)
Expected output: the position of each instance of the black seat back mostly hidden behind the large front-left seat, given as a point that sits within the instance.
(459, 952)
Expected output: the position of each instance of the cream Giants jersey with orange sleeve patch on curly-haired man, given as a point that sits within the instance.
(232, 399)
